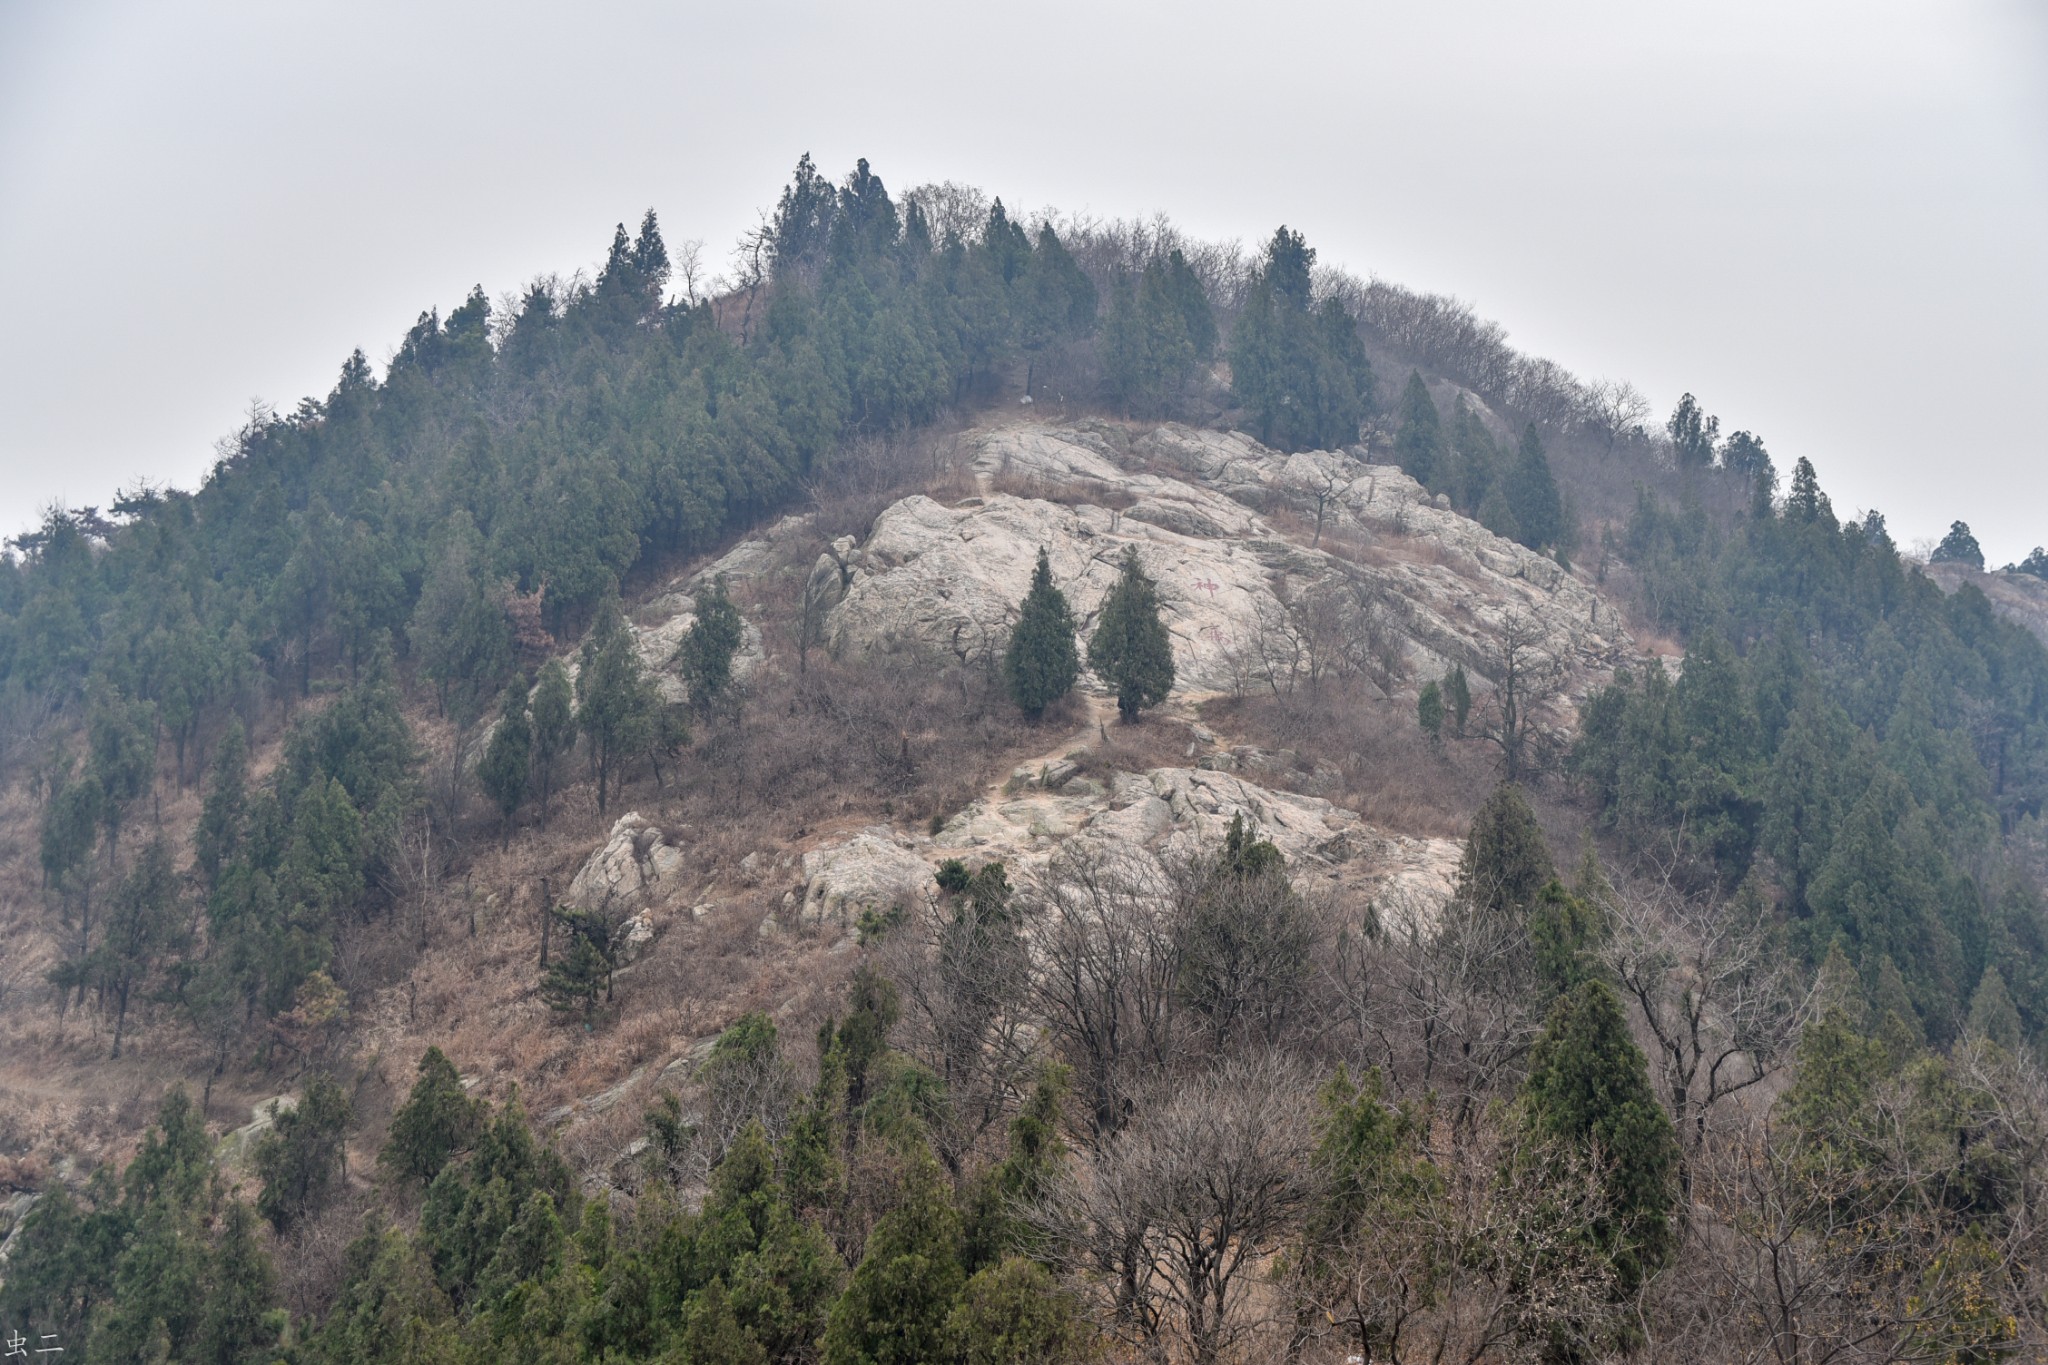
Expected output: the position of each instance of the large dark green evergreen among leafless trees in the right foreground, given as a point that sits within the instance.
(1590, 1088)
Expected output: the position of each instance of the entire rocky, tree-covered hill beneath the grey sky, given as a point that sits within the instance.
(1435, 867)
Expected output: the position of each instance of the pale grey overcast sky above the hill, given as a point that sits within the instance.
(1826, 220)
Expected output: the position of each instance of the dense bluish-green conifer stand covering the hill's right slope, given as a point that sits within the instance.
(1844, 740)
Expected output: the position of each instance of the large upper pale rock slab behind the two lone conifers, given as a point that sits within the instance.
(1201, 509)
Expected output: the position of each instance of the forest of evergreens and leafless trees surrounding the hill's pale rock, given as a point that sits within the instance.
(1750, 1073)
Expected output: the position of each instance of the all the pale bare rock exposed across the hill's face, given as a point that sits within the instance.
(1275, 570)
